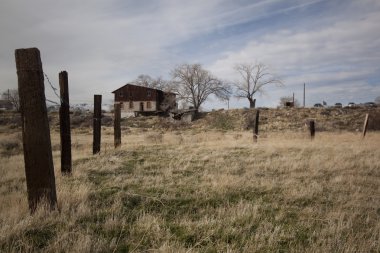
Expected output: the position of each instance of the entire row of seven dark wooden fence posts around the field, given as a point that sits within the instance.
(39, 168)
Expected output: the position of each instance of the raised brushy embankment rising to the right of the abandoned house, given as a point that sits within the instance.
(326, 119)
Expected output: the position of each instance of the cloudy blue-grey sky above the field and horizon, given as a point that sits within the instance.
(331, 45)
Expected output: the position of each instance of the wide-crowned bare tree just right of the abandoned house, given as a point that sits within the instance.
(195, 84)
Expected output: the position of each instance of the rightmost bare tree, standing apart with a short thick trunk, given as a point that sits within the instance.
(253, 78)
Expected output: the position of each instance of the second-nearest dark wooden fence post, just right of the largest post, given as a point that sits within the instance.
(64, 122)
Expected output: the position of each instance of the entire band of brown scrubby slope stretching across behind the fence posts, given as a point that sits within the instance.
(292, 119)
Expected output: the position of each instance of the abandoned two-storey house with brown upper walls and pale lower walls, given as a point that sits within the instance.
(144, 100)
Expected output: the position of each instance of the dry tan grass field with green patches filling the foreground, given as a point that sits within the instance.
(199, 191)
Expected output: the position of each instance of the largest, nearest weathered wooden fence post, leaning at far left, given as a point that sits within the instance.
(39, 167)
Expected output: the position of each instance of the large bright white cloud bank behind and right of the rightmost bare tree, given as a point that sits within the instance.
(330, 57)
